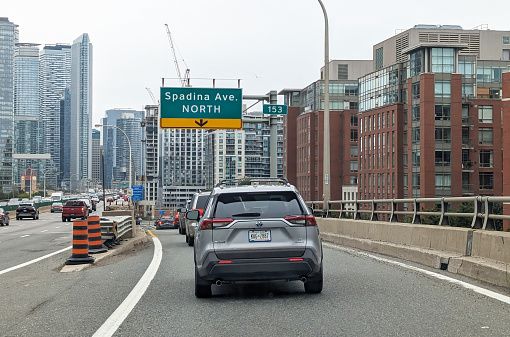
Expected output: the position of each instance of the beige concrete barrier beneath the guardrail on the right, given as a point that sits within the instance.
(479, 254)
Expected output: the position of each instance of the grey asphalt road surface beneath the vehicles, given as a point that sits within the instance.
(362, 296)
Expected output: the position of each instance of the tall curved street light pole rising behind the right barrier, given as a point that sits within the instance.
(326, 187)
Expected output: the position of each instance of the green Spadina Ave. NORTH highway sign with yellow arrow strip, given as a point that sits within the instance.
(201, 108)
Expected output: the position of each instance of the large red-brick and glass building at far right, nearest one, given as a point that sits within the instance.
(430, 114)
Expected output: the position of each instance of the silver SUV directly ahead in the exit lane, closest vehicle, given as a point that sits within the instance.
(257, 230)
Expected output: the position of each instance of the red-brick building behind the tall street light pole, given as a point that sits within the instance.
(304, 132)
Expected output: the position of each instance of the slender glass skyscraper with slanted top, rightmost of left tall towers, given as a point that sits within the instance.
(81, 108)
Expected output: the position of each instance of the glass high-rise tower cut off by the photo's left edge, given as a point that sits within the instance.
(8, 40)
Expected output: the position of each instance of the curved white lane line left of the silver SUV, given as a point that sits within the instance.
(119, 315)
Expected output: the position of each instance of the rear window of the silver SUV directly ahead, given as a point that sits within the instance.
(263, 204)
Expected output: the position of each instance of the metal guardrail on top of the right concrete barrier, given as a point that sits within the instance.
(482, 216)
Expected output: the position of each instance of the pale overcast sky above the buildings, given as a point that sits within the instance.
(268, 44)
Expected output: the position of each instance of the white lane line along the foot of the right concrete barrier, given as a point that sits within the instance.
(476, 289)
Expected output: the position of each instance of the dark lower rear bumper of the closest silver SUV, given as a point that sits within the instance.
(266, 269)
